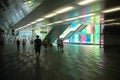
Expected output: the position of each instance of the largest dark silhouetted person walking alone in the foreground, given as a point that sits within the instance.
(37, 45)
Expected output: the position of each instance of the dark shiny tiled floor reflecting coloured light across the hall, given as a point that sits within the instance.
(76, 62)
